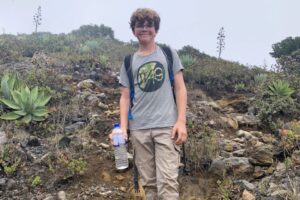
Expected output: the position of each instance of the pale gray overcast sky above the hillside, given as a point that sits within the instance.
(251, 26)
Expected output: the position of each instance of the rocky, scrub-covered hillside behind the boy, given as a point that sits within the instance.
(243, 123)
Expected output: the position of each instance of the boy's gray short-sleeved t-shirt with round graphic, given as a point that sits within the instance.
(153, 105)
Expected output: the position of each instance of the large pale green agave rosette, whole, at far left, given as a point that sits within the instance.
(27, 105)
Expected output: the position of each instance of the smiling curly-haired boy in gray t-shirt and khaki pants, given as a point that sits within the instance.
(158, 124)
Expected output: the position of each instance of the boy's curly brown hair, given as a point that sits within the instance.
(145, 14)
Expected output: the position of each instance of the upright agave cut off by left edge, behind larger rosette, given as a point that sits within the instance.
(9, 82)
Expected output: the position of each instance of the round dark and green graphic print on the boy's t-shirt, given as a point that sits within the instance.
(150, 76)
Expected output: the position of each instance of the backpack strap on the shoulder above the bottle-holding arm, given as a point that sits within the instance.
(127, 63)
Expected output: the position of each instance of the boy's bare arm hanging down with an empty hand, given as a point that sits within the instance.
(179, 131)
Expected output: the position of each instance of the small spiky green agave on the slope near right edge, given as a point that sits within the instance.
(280, 89)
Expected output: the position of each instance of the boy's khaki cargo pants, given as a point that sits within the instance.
(157, 160)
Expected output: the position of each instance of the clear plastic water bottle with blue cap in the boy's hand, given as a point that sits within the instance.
(120, 150)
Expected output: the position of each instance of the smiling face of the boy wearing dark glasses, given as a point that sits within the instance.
(144, 31)
